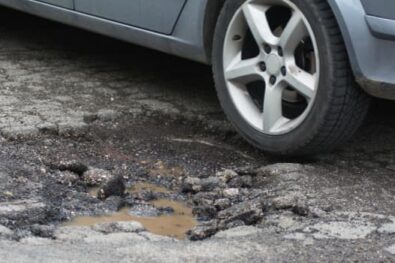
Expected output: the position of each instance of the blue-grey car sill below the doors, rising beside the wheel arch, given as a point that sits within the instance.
(186, 40)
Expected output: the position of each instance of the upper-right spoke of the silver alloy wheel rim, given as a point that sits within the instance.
(293, 33)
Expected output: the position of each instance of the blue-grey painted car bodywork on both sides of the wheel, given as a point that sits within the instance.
(368, 34)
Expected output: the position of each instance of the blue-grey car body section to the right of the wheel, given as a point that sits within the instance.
(372, 55)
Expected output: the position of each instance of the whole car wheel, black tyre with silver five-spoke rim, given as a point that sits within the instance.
(283, 77)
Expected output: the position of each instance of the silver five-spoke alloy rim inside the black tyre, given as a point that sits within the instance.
(282, 61)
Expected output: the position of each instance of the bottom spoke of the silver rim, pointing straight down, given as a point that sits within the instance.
(272, 108)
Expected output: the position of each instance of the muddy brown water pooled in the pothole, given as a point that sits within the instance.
(174, 225)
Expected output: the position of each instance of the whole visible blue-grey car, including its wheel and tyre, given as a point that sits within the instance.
(293, 76)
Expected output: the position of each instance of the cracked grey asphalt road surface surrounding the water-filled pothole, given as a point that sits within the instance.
(71, 95)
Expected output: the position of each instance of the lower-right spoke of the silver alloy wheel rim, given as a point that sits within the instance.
(303, 82)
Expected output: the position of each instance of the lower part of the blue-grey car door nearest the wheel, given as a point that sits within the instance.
(155, 15)
